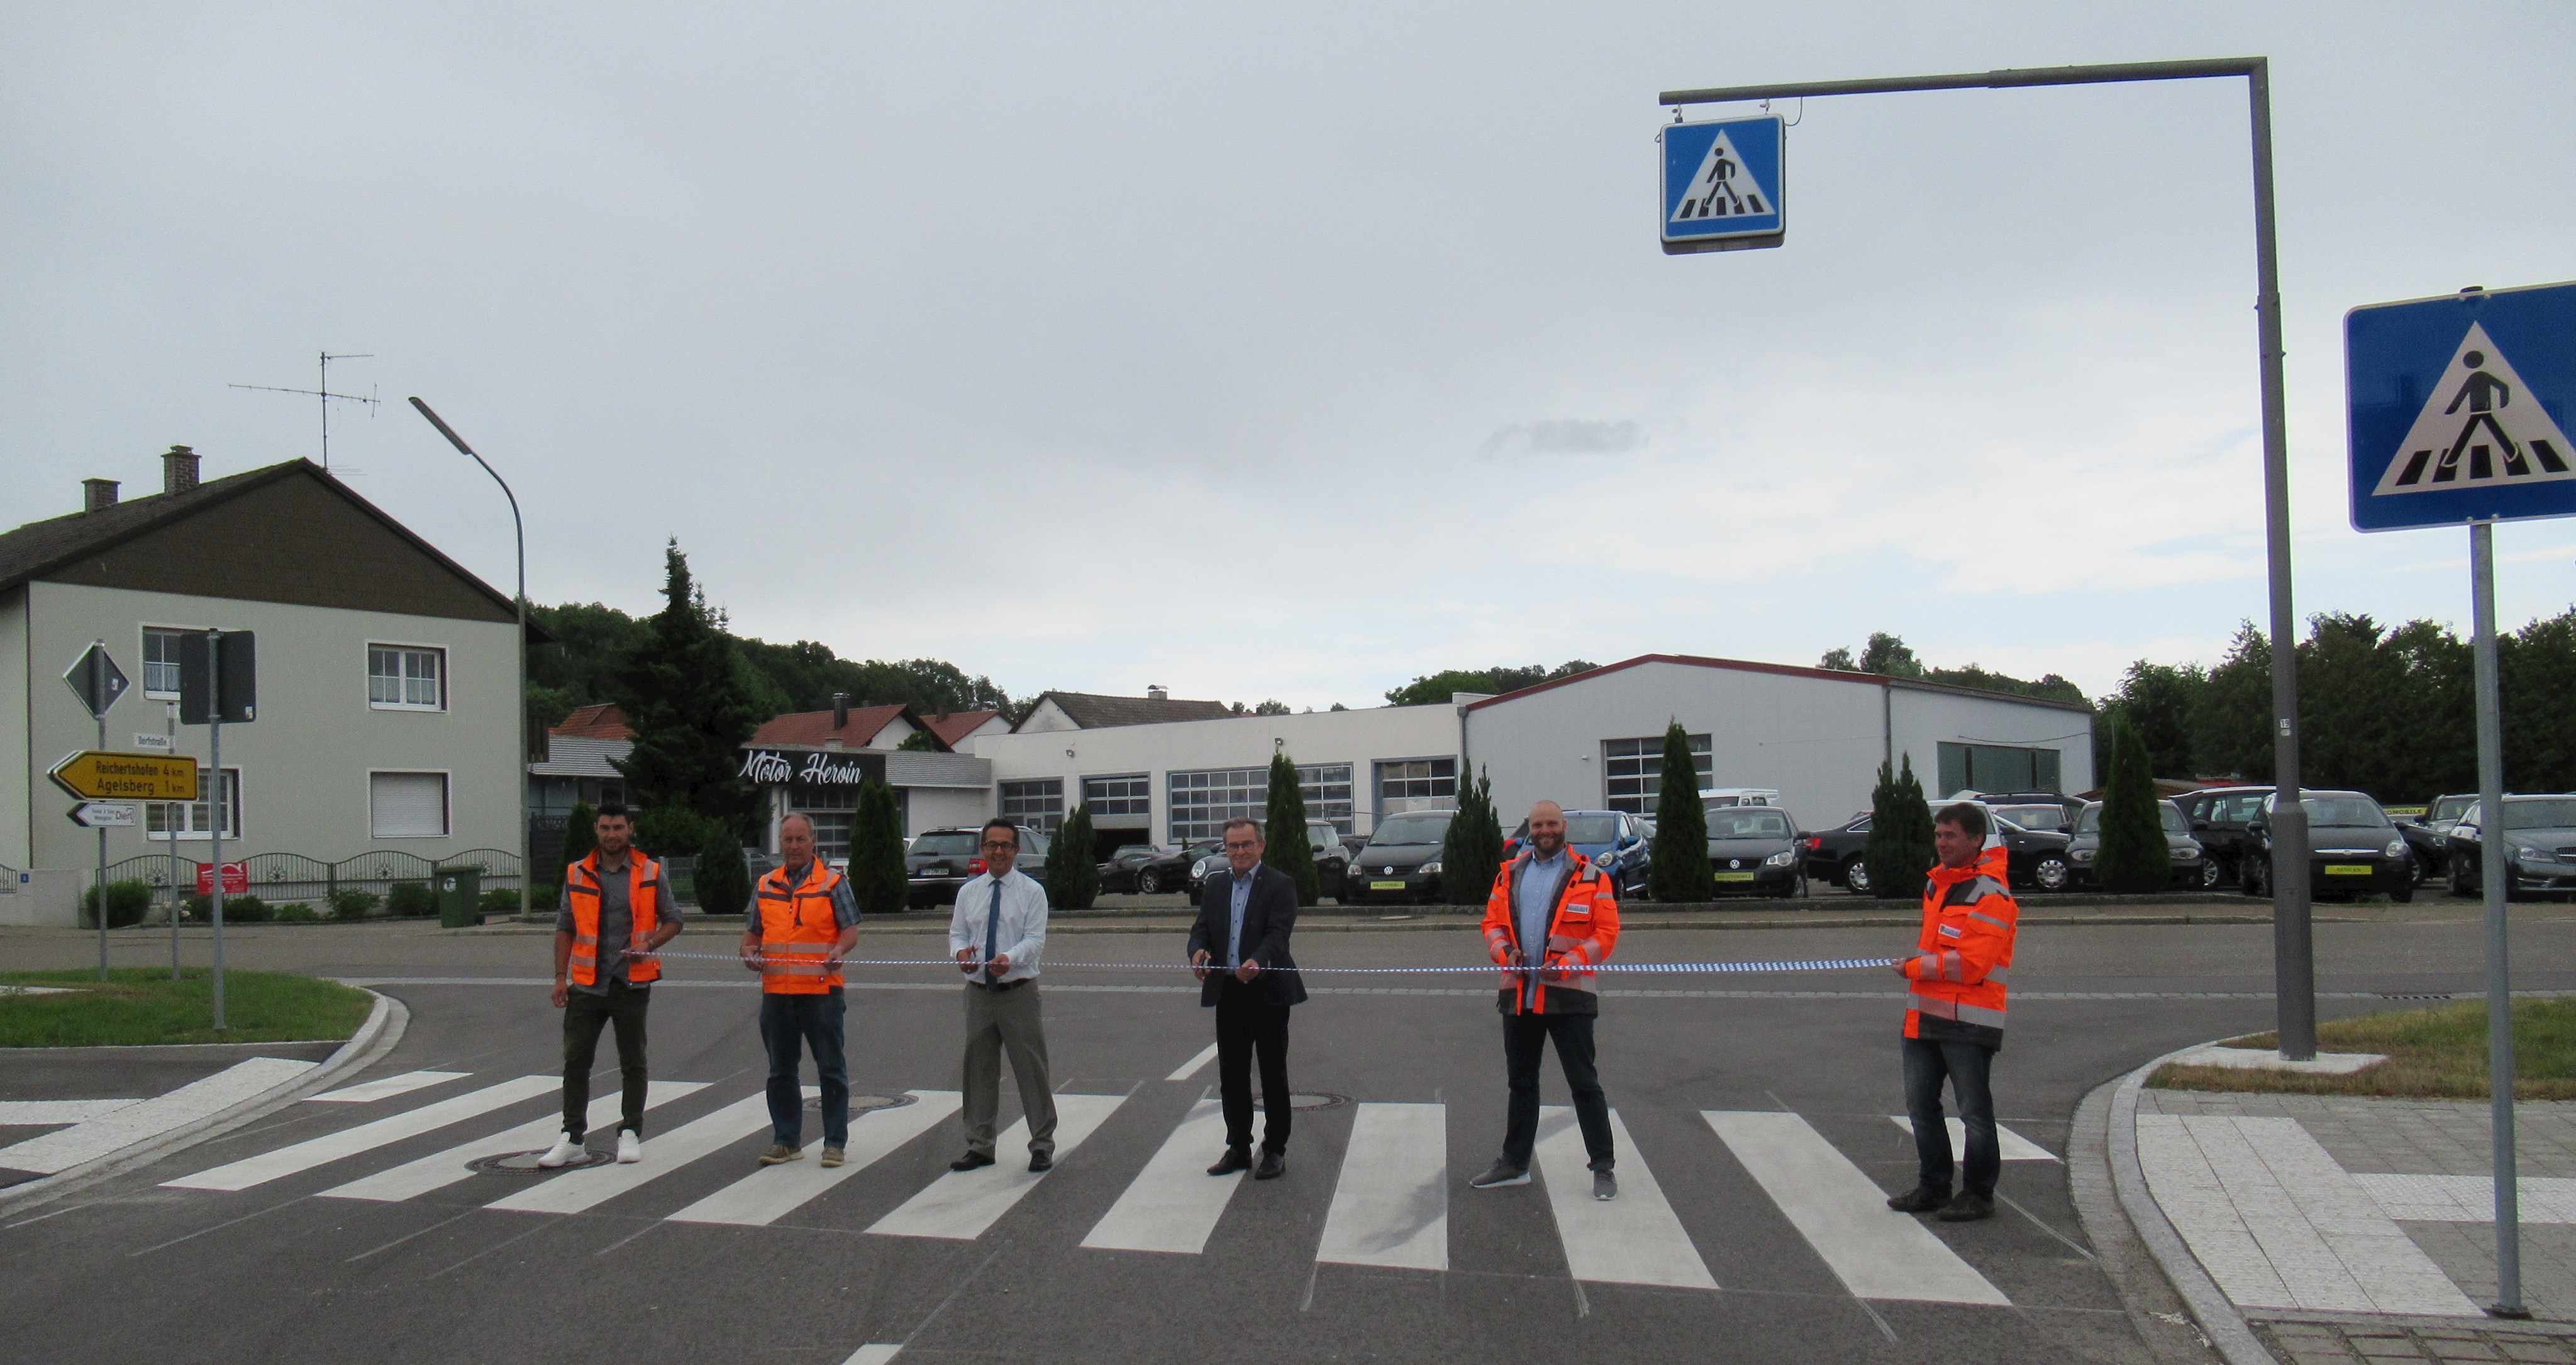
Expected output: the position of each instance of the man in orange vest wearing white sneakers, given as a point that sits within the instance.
(617, 910)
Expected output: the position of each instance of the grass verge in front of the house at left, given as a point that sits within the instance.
(146, 1006)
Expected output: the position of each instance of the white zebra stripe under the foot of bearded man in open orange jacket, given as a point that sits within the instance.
(1632, 1240)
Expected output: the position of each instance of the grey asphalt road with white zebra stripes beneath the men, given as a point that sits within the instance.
(1753, 1145)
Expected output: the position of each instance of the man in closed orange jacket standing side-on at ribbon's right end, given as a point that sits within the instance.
(1956, 1013)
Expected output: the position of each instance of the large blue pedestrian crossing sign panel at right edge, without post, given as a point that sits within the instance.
(2459, 408)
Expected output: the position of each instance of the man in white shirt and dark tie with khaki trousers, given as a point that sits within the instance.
(998, 934)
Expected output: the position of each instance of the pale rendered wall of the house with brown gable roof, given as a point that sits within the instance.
(305, 761)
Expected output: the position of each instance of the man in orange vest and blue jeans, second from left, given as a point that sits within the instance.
(802, 926)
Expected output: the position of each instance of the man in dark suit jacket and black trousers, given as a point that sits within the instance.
(1240, 952)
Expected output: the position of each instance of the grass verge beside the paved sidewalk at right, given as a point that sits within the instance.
(2433, 1055)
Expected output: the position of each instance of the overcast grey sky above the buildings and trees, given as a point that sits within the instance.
(1279, 352)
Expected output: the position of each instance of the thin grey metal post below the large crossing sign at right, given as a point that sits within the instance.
(2497, 882)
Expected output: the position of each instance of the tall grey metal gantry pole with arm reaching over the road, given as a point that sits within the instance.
(2294, 965)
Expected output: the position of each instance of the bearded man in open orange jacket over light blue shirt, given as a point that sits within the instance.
(1549, 921)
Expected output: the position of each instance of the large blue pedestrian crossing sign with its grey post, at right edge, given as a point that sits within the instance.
(2459, 416)
